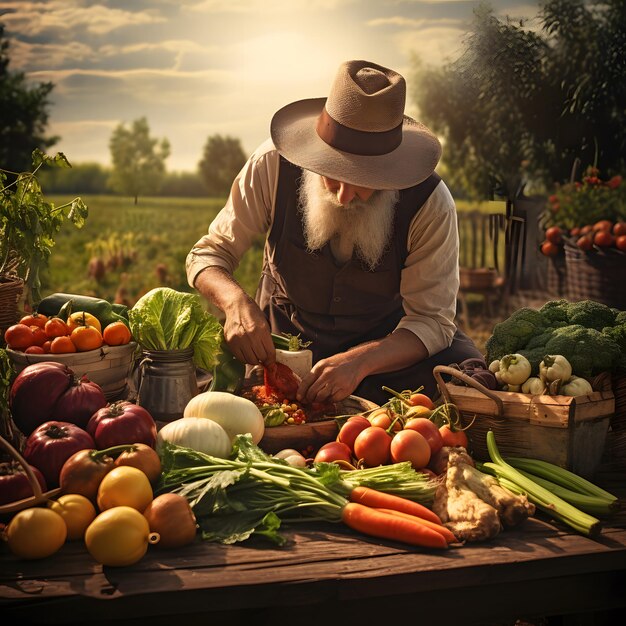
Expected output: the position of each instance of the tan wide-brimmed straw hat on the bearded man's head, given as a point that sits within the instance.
(359, 134)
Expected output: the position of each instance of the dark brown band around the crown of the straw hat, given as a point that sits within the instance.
(359, 142)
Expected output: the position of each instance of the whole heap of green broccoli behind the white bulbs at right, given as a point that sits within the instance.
(589, 334)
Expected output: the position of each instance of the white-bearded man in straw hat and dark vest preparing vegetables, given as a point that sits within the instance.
(361, 256)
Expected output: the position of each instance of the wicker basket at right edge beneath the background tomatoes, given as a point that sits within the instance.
(596, 275)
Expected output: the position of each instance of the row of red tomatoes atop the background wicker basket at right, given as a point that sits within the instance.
(603, 234)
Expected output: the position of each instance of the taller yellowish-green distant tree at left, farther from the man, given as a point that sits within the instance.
(138, 160)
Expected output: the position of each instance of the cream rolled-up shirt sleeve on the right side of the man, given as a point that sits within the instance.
(430, 278)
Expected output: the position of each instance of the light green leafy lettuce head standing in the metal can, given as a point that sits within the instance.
(166, 319)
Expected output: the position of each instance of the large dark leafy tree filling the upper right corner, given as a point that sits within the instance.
(522, 104)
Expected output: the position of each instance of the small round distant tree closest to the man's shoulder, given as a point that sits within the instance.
(222, 159)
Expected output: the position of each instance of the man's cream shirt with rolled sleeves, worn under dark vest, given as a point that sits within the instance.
(430, 278)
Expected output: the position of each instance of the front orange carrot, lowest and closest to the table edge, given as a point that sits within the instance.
(375, 523)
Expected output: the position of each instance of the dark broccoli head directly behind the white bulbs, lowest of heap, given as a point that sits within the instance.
(588, 350)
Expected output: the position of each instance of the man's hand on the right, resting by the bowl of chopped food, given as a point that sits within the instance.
(332, 379)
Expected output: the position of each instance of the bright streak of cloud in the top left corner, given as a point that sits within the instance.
(60, 18)
